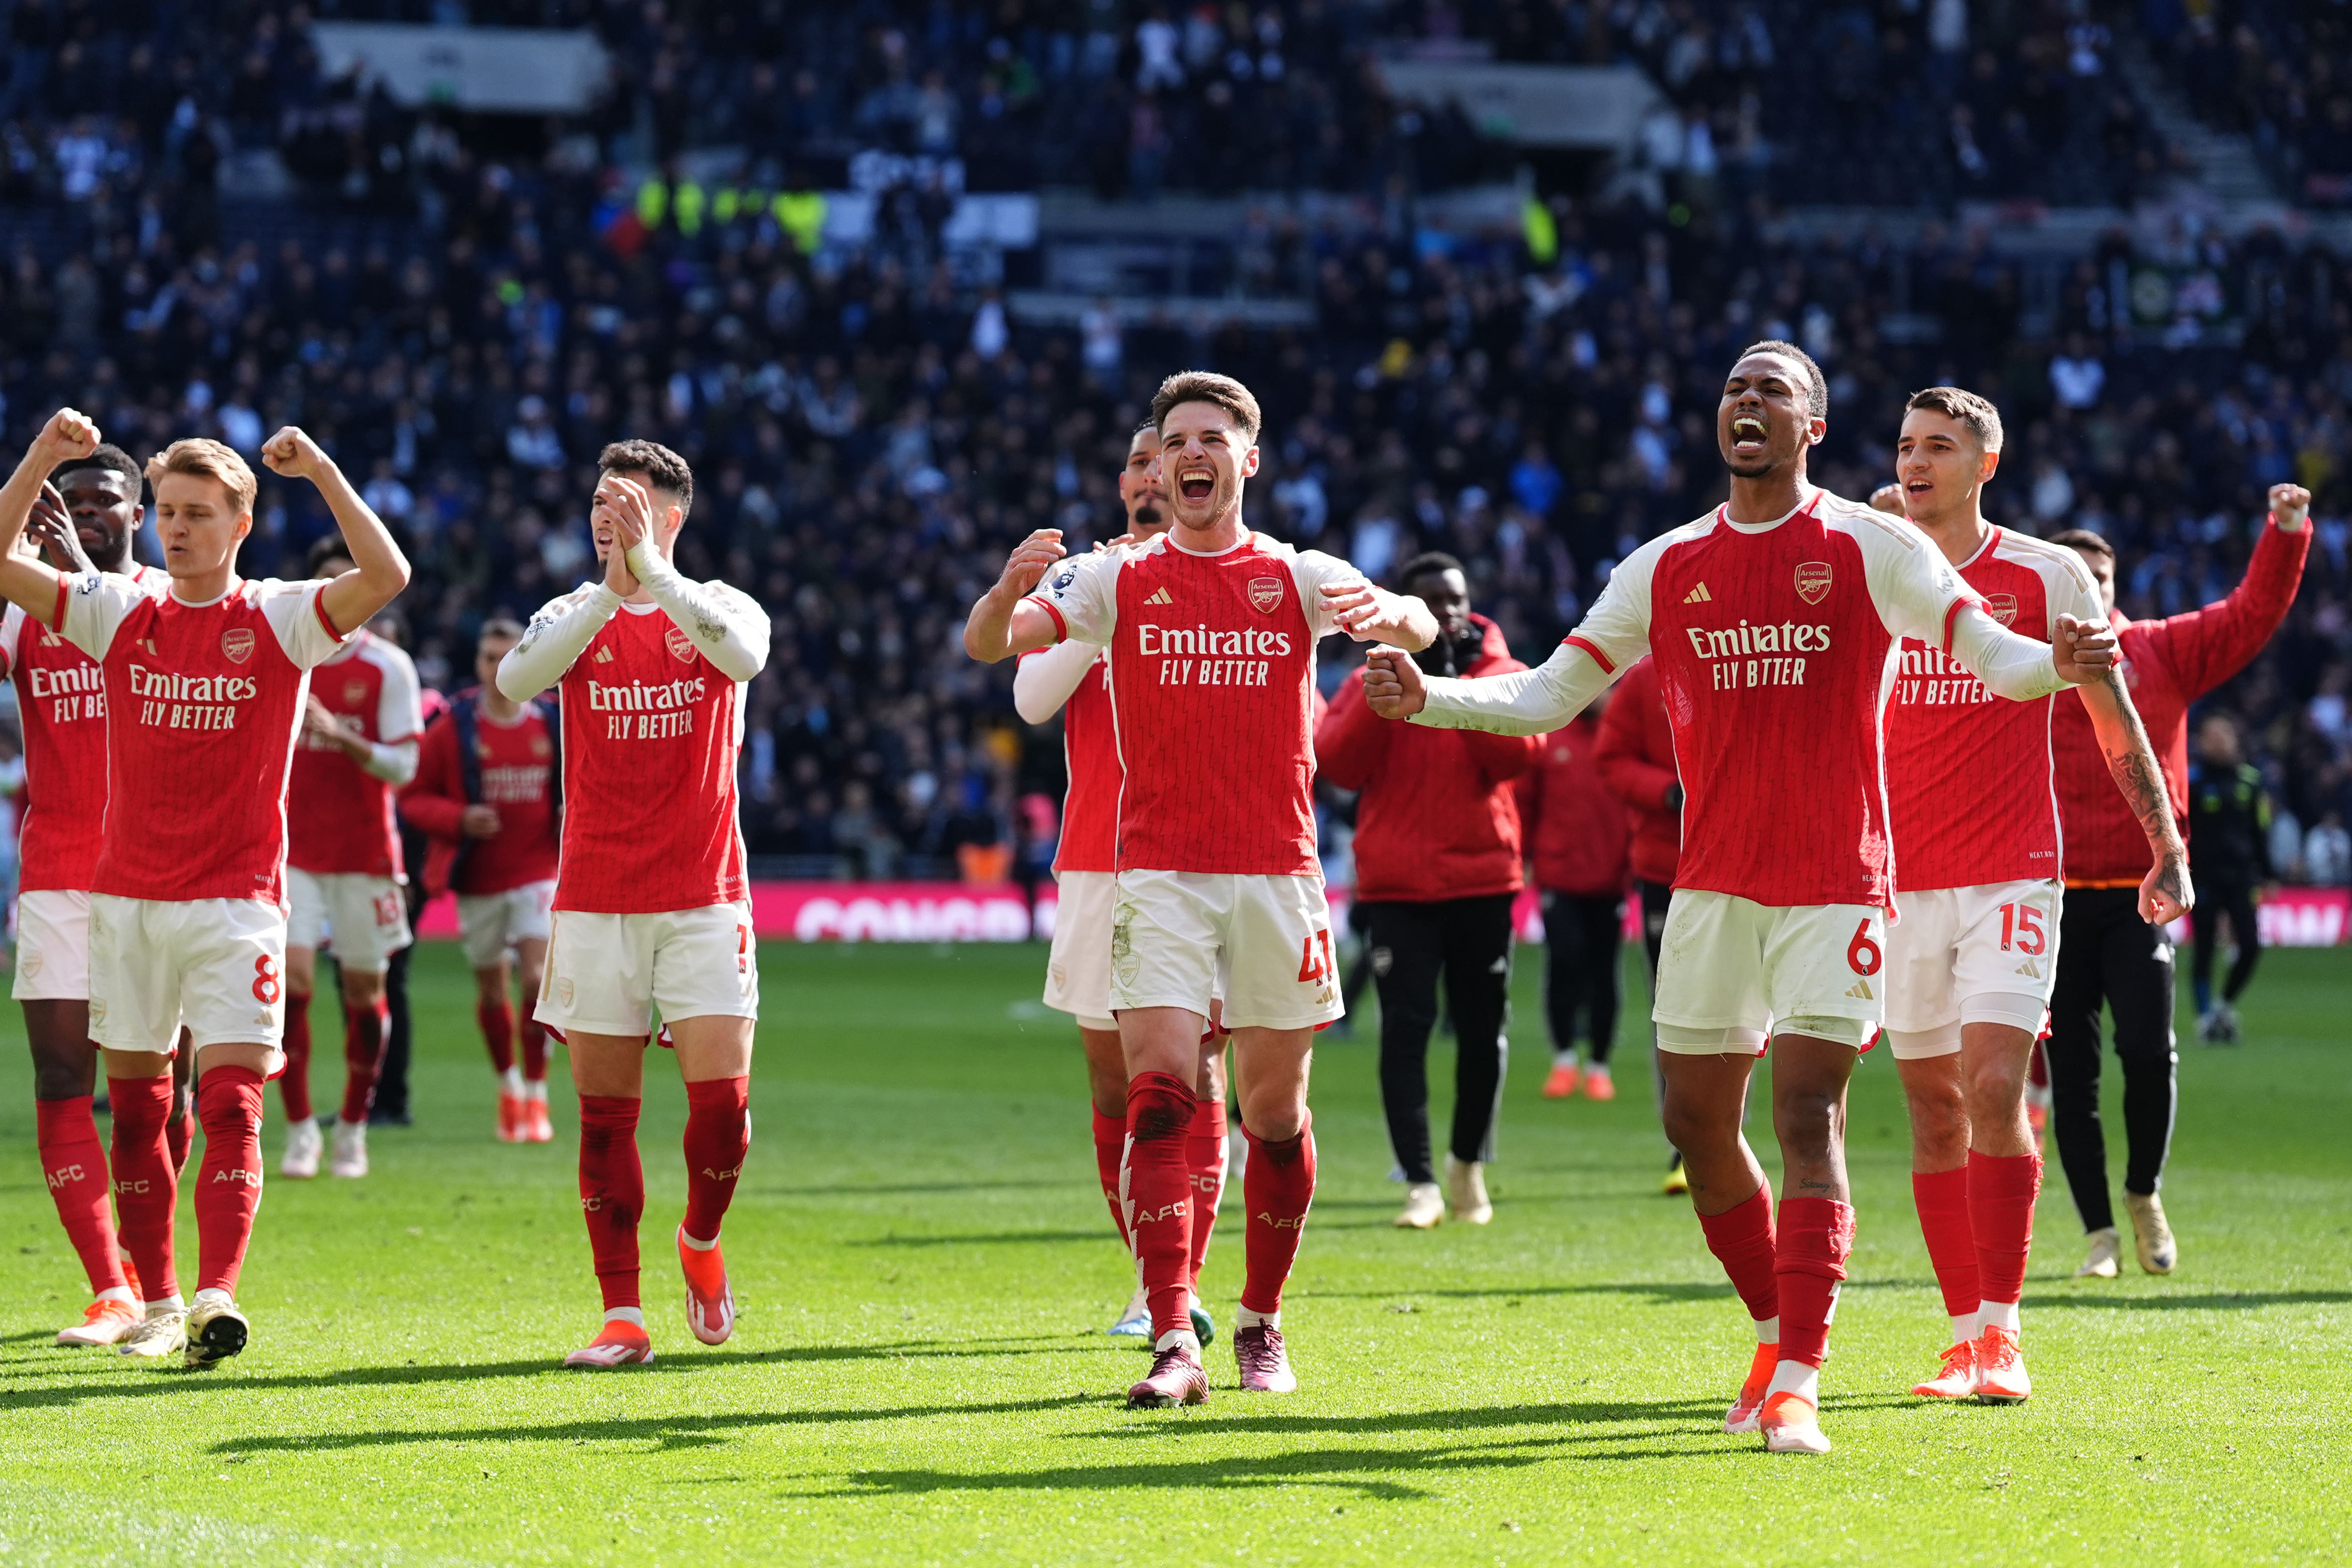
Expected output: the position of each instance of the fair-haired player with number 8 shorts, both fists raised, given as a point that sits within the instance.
(187, 911)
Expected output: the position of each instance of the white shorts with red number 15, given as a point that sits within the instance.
(1970, 956)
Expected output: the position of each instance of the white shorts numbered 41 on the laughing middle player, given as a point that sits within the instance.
(1269, 939)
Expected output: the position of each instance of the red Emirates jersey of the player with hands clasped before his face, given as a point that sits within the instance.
(650, 772)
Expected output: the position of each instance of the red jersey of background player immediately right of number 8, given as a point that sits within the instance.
(340, 817)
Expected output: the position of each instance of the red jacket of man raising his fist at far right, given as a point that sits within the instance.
(2167, 666)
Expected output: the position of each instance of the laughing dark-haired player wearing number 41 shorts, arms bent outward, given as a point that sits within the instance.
(1212, 655)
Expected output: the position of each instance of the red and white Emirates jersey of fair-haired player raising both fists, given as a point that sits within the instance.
(203, 704)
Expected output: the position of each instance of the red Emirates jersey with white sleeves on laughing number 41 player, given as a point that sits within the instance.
(1212, 685)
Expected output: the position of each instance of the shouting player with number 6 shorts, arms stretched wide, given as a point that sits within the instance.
(1775, 622)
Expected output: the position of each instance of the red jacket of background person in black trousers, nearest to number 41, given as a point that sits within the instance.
(1436, 817)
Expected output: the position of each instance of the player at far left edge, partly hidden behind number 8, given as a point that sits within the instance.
(86, 523)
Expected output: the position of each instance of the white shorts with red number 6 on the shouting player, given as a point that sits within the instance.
(1732, 972)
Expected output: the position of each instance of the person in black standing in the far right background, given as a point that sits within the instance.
(2229, 859)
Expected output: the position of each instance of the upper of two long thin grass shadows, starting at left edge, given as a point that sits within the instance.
(140, 1383)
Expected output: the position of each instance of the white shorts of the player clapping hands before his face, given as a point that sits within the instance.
(610, 972)
